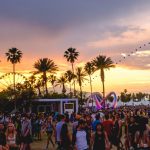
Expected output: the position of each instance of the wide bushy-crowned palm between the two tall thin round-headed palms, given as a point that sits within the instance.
(44, 66)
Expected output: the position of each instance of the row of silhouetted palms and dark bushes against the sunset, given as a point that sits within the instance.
(36, 86)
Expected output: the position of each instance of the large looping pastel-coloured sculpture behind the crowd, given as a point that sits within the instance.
(103, 103)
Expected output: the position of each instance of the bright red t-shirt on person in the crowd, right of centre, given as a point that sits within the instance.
(108, 125)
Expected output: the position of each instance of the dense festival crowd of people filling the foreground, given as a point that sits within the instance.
(125, 128)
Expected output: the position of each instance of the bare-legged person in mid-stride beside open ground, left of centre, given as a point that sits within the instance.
(49, 131)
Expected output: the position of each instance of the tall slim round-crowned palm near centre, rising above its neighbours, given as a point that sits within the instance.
(71, 55)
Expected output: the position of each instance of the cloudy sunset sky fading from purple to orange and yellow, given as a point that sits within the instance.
(46, 28)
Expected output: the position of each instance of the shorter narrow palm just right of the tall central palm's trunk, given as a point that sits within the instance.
(80, 76)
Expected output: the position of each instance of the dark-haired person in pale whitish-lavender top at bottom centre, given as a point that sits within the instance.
(80, 138)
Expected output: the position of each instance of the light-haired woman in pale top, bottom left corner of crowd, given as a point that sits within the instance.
(11, 135)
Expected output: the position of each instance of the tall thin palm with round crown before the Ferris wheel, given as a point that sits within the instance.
(14, 56)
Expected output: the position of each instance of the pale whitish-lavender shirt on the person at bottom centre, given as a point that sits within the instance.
(81, 140)
